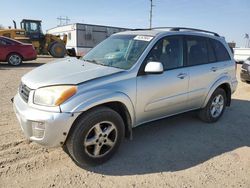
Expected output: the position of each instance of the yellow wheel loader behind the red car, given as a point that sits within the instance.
(31, 32)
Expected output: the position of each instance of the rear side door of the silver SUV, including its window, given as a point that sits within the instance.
(204, 68)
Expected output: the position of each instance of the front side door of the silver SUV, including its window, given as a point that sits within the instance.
(165, 94)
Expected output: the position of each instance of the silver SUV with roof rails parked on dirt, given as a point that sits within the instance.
(89, 105)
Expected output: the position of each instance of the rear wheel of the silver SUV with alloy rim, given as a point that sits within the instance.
(215, 107)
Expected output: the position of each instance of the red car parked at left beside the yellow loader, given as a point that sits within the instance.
(15, 52)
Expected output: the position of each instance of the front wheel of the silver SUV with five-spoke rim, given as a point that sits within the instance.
(95, 136)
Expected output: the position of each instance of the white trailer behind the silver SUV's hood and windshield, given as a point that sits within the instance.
(82, 37)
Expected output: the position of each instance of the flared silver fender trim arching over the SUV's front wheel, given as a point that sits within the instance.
(91, 99)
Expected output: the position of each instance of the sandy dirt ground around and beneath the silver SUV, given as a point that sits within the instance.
(180, 151)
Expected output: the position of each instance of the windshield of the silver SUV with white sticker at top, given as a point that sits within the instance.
(120, 51)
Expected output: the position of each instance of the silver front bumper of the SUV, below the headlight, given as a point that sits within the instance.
(46, 128)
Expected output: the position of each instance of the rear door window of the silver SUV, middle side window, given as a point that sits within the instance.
(197, 50)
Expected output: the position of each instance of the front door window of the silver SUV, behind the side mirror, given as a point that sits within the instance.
(168, 51)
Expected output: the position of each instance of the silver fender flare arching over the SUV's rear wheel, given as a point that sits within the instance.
(223, 80)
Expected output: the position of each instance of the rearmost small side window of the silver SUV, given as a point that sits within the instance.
(220, 51)
